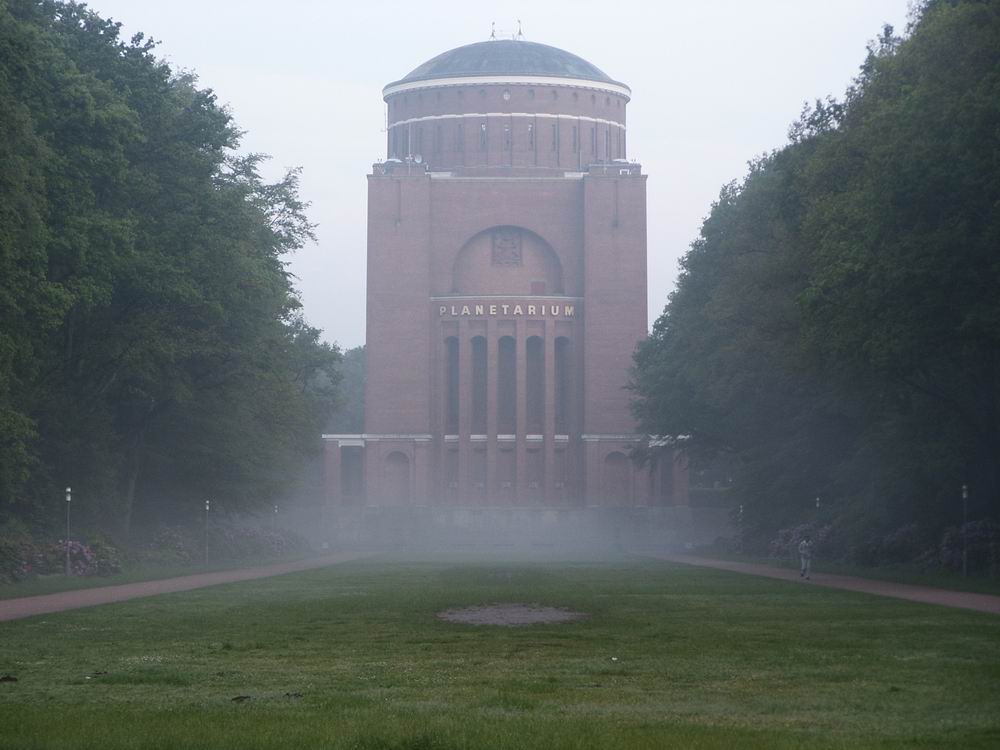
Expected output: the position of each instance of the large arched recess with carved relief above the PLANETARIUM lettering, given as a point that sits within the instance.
(507, 260)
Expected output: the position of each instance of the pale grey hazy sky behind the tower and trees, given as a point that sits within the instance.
(714, 83)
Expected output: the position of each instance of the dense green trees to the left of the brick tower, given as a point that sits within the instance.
(152, 352)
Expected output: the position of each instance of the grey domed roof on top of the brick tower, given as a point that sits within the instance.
(506, 57)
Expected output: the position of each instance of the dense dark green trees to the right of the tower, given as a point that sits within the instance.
(836, 327)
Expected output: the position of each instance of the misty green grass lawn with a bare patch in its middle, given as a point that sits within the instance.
(353, 656)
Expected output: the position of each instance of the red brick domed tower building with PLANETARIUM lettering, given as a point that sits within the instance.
(506, 294)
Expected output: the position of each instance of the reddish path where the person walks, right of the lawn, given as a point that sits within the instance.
(925, 594)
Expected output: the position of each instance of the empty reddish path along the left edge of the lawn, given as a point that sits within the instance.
(13, 609)
